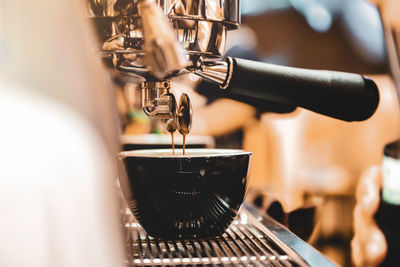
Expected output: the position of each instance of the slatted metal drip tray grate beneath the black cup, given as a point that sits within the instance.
(246, 243)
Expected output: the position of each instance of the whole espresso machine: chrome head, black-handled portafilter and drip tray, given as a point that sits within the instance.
(150, 42)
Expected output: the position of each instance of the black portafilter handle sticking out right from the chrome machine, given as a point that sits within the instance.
(344, 96)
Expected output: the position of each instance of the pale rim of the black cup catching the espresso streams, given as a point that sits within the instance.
(190, 153)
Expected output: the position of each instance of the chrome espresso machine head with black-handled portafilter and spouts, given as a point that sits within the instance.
(151, 41)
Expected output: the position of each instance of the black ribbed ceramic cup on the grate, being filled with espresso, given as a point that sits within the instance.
(196, 195)
